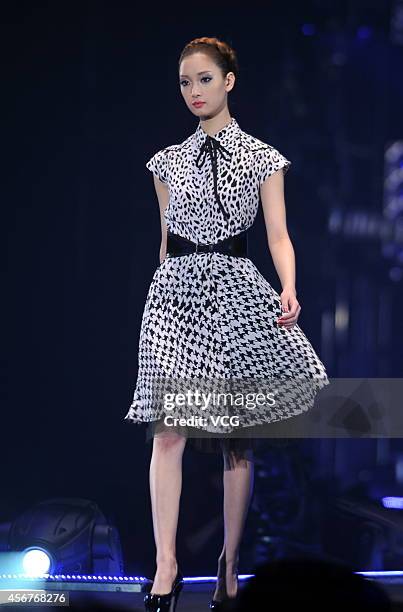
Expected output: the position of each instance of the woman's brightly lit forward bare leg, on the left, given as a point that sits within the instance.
(165, 490)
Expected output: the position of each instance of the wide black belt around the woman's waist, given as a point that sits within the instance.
(236, 245)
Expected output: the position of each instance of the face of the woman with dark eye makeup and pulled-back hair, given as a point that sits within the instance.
(201, 80)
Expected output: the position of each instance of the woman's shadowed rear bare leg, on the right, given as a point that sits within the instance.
(238, 478)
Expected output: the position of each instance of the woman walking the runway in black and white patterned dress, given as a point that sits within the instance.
(209, 312)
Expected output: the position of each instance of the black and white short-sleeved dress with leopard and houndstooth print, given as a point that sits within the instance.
(210, 314)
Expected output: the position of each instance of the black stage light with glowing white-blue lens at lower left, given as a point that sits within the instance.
(62, 536)
